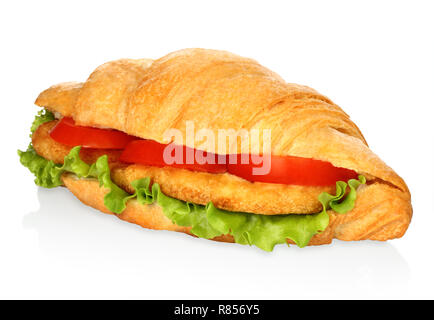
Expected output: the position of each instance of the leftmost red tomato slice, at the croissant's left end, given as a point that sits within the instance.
(66, 132)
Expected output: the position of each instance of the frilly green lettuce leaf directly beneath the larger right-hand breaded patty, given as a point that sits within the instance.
(263, 231)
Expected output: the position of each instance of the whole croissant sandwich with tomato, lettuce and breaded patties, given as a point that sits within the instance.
(215, 145)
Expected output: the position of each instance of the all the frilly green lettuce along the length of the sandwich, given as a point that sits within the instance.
(207, 220)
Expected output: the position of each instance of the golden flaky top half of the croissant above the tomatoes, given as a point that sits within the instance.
(217, 90)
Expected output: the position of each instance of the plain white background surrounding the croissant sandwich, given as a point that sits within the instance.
(373, 58)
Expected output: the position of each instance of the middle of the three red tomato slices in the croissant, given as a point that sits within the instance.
(151, 153)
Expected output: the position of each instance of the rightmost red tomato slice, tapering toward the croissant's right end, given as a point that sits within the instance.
(292, 170)
